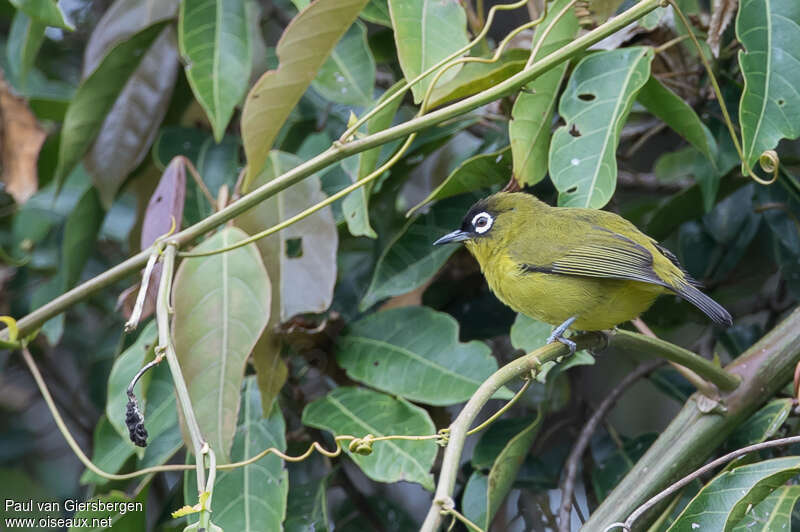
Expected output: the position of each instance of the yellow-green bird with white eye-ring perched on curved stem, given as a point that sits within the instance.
(583, 269)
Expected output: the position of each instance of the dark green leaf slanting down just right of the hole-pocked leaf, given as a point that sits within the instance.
(677, 114)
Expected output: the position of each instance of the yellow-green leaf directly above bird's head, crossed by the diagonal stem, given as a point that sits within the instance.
(532, 114)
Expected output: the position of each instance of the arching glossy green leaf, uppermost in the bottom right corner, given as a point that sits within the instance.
(731, 493)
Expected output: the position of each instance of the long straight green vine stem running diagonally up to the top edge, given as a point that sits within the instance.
(333, 154)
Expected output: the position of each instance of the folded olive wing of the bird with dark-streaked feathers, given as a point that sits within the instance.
(604, 254)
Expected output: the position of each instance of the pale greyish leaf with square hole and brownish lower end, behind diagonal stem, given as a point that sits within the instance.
(300, 284)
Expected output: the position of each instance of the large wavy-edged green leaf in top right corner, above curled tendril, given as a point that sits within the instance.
(769, 109)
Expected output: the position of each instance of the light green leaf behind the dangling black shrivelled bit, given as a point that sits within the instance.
(122, 371)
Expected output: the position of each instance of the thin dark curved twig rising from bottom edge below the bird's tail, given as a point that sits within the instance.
(571, 468)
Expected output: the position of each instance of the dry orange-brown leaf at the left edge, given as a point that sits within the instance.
(22, 138)
